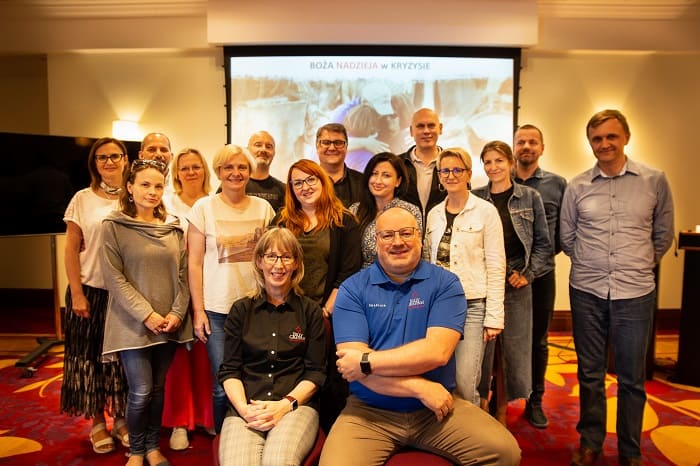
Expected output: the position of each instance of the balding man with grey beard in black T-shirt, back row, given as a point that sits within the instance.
(261, 184)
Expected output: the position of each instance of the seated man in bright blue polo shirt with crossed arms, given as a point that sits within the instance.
(396, 326)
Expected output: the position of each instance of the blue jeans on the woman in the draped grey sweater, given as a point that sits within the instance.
(145, 370)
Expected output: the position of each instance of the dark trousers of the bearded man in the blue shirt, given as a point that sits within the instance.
(543, 293)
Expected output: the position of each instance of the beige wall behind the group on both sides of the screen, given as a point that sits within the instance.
(181, 93)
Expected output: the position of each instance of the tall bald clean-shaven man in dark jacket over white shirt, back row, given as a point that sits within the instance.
(421, 161)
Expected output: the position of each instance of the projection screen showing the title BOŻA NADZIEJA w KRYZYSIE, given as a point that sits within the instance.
(291, 92)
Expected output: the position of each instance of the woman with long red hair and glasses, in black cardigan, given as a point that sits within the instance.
(330, 238)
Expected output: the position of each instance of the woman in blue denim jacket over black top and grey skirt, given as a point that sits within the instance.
(528, 247)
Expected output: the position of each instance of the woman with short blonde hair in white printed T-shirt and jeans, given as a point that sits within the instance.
(221, 236)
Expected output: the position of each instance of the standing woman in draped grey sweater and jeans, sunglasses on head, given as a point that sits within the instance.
(145, 268)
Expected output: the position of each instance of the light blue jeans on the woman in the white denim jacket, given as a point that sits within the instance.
(470, 351)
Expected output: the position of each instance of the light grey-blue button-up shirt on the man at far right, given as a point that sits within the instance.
(616, 229)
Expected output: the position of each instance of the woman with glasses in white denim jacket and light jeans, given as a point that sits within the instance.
(465, 236)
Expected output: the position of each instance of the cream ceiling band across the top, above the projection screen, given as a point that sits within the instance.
(39, 26)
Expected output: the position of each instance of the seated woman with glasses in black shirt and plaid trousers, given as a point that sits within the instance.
(274, 361)
